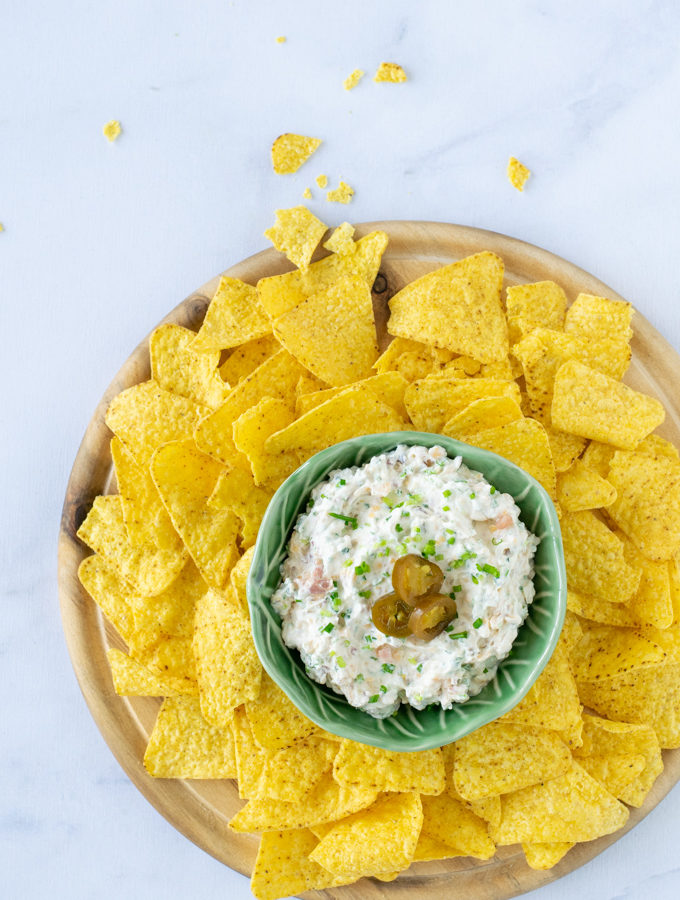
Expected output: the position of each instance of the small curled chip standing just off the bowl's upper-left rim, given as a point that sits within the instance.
(251, 431)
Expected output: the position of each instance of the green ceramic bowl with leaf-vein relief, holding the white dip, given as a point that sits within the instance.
(409, 729)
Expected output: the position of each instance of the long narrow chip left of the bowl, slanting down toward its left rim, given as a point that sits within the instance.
(185, 479)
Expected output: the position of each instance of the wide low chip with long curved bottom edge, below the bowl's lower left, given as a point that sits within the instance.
(327, 802)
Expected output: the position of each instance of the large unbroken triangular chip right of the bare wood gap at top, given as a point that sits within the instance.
(457, 307)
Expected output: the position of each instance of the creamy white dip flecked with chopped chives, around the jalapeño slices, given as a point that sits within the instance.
(340, 560)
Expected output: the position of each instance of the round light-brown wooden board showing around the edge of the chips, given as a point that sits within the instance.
(202, 809)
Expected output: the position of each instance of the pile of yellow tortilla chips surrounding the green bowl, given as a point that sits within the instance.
(281, 370)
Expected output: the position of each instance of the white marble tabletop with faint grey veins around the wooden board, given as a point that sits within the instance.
(102, 240)
